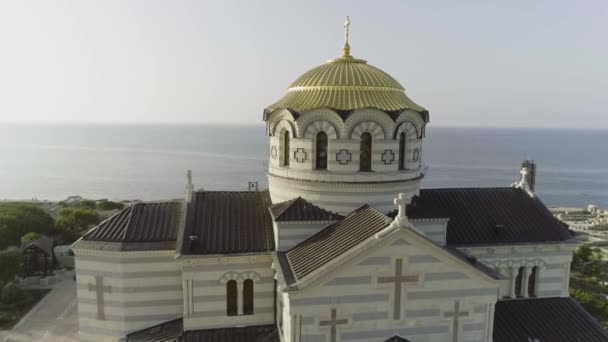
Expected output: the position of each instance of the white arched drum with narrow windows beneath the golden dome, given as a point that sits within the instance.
(342, 186)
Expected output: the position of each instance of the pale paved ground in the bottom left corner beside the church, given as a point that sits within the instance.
(53, 319)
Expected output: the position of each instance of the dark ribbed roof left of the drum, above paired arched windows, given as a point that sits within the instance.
(222, 222)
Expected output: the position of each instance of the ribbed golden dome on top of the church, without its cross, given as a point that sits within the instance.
(346, 83)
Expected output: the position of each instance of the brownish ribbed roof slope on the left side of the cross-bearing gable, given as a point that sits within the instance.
(334, 240)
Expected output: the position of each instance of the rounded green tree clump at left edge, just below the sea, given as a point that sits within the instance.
(17, 219)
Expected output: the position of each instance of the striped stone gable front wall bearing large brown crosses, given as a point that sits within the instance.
(403, 285)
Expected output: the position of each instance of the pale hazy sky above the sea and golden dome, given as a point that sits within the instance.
(470, 63)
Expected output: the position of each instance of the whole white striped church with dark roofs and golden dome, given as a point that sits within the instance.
(344, 245)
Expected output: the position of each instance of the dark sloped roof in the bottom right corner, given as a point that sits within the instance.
(545, 320)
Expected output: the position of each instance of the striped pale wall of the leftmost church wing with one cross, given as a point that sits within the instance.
(144, 290)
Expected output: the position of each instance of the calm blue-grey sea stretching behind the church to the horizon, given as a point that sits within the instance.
(50, 161)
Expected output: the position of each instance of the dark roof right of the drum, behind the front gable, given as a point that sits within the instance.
(487, 216)
